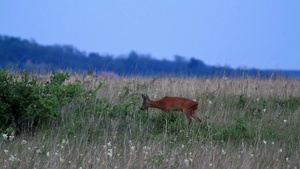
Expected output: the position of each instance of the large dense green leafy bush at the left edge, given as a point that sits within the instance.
(25, 103)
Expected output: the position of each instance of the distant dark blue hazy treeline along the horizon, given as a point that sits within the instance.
(27, 54)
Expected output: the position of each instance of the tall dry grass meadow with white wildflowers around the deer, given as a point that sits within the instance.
(246, 123)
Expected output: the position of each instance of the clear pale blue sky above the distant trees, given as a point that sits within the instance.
(236, 33)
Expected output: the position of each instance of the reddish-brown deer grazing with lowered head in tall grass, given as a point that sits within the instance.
(189, 107)
